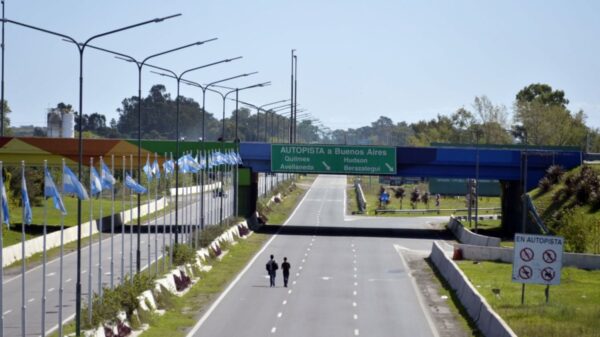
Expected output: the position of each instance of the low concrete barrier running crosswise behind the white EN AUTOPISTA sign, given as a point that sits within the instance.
(505, 254)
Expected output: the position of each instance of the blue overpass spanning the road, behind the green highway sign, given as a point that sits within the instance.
(513, 167)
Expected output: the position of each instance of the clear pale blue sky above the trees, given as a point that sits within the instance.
(357, 60)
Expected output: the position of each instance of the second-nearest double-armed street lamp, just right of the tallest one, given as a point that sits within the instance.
(140, 65)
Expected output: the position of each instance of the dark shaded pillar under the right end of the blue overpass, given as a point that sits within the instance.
(512, 207)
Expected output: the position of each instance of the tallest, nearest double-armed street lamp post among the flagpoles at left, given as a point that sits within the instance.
(81, 48)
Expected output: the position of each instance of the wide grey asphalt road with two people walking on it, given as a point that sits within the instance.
(348, 276)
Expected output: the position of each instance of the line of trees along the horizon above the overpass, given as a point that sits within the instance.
(539, 116)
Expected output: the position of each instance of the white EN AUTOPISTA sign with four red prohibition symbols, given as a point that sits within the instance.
(537, 259)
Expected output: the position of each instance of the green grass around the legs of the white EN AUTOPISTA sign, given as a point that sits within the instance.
(573, 308)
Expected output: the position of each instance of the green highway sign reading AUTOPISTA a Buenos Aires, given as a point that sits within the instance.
(337, 159)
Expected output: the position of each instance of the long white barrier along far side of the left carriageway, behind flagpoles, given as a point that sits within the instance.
(12, 254)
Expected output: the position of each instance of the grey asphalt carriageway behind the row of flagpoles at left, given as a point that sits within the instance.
(125, 247)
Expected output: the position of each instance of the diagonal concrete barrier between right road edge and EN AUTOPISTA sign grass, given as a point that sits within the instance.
(486, 319)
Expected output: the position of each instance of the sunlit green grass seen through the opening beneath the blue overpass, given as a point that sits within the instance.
(371, 189)
